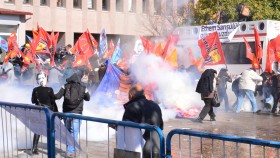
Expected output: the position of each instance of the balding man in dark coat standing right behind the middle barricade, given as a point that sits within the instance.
(140, 110)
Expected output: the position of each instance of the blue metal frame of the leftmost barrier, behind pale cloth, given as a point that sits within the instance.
(6, 105)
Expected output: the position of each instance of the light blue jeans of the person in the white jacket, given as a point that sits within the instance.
(241, 96)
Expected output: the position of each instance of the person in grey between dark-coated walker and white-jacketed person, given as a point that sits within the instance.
(223, 78)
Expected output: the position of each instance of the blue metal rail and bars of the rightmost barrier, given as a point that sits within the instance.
(236, 139)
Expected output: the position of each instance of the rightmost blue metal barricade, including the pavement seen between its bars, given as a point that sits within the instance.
(217, 145)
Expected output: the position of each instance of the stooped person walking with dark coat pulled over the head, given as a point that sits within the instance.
(207, 88)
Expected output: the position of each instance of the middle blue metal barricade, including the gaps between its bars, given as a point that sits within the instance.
(89, 147)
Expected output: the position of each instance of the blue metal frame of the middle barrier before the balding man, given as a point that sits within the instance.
(105, 121)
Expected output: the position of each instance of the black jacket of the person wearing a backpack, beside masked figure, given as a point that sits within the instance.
(74, 79)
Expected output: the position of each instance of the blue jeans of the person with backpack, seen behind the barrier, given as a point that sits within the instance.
(73, 126)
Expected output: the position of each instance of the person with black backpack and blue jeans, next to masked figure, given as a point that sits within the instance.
(74, 95)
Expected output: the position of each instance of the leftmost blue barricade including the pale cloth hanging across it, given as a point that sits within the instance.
(18, 123)
